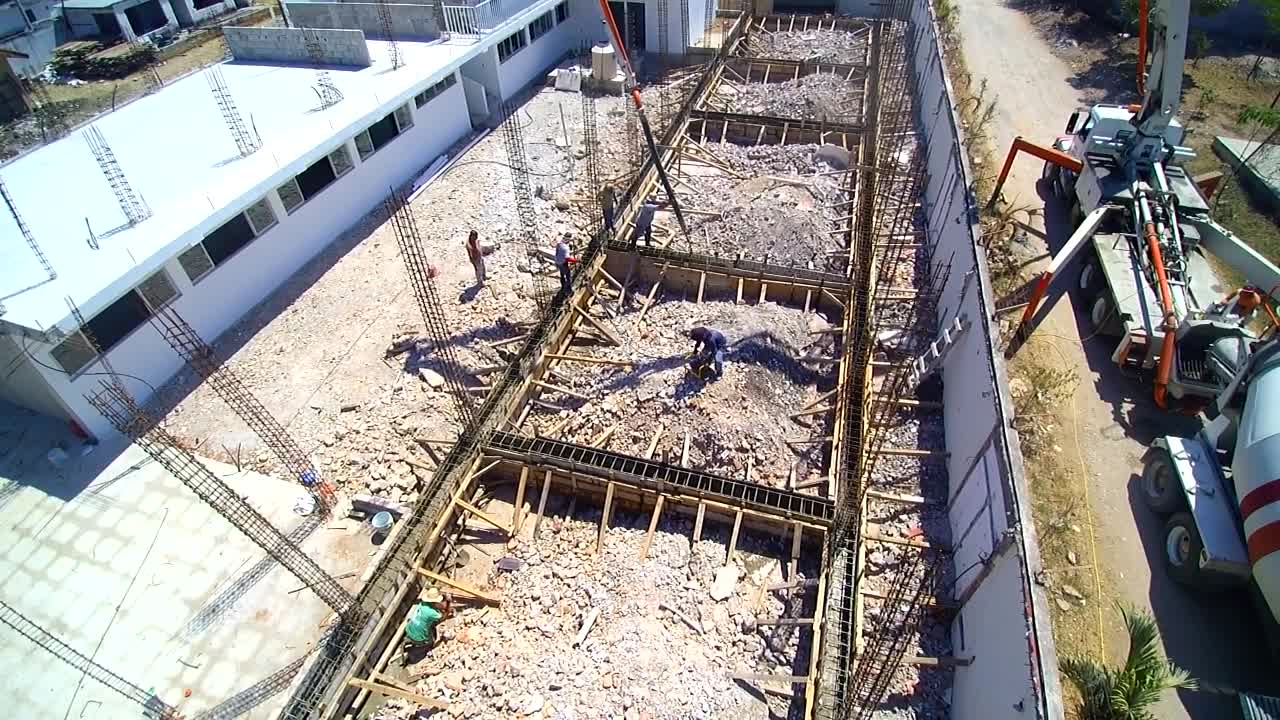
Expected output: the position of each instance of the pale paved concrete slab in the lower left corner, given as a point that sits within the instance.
(120, 560)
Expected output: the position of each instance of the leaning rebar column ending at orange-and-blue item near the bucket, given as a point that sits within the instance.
(227, 385)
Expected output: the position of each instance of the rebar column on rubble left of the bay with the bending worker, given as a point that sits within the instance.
(429, 303)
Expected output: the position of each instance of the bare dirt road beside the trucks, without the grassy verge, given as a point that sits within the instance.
(1217, 639)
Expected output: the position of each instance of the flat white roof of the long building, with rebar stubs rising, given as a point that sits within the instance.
(179, 154)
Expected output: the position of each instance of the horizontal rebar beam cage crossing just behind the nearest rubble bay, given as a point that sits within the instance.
(656, 476)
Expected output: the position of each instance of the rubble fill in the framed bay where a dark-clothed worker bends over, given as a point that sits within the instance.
(733, 421)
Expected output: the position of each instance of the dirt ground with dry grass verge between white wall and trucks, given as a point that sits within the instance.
(1103, 429)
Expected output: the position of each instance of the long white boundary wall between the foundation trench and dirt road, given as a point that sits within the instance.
(1004, 625)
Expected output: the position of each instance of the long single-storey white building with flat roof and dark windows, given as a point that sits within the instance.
(226, 231)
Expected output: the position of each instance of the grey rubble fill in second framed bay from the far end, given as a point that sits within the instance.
(821, 97)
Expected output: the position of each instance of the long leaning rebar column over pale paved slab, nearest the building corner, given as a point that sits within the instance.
(120, 408)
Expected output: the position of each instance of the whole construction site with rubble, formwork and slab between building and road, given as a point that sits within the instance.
(835, 528)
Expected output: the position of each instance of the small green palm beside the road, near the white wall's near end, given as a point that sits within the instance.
(1127, 694)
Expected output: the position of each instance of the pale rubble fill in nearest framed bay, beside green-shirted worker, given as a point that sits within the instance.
(589, 636)
